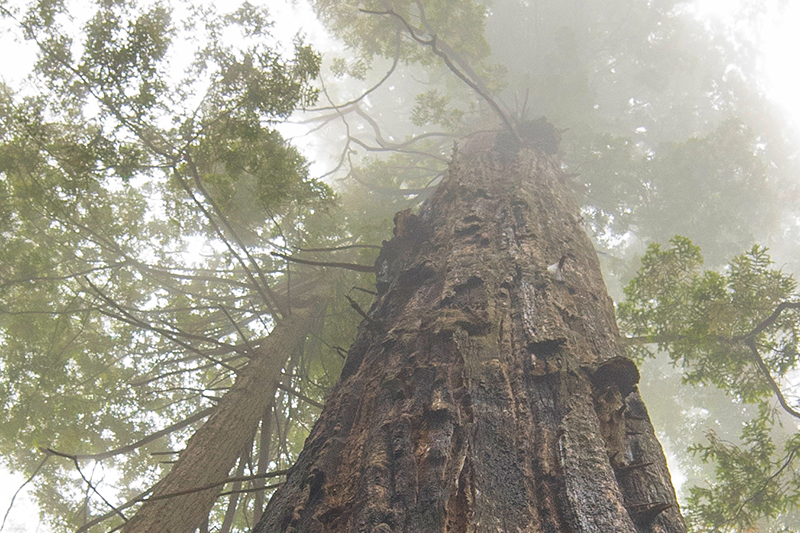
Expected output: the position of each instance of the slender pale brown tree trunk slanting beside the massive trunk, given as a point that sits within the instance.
(212, 451)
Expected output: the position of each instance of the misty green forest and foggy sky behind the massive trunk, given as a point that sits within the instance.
(178, 182)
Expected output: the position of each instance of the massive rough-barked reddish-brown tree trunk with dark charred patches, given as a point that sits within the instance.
(486, 391)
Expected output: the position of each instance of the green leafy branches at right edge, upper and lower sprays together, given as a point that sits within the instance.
(737, 330)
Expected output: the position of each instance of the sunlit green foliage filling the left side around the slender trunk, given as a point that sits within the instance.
(111, 327)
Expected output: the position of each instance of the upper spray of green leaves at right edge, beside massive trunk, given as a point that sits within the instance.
(704, 319)
